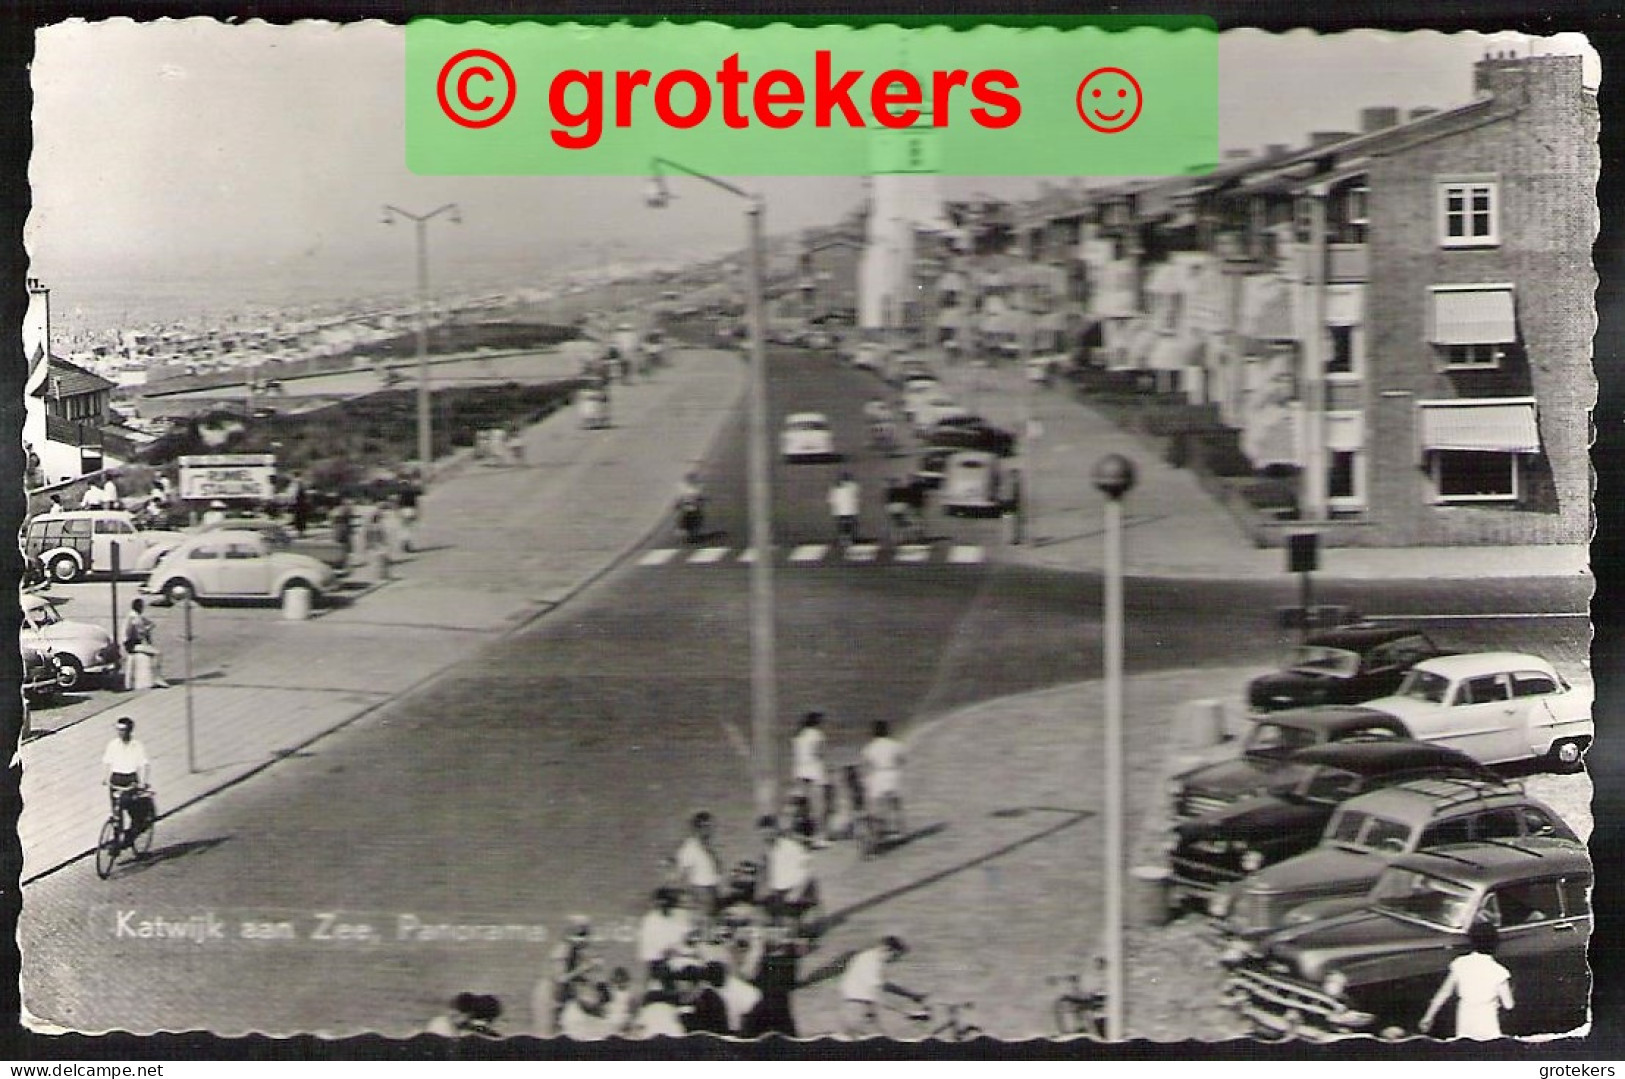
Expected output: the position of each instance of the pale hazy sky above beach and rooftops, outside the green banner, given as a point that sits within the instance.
(230, 154)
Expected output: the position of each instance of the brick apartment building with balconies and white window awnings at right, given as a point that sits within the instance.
(1405, 311)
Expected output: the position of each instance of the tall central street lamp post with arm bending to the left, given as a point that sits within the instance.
(765, 691)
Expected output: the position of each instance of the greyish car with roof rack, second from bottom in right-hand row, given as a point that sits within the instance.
(1369, 833)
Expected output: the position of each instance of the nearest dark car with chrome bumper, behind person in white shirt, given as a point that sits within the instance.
(1376, 968)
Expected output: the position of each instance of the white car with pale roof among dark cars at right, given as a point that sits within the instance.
(1497, 708)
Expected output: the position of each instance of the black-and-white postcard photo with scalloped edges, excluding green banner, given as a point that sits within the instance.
(903, 607)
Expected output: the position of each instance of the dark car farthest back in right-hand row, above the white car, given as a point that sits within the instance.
(1348, 665)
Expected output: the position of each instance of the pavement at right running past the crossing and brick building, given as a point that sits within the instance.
(1172, 526)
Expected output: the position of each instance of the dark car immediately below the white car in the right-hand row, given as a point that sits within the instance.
(1265, 753)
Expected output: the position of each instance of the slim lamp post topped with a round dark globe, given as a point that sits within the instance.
(1116, 479)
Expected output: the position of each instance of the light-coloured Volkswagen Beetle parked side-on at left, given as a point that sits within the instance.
(235, 565)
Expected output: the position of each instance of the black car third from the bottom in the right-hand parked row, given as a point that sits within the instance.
(1228, 844)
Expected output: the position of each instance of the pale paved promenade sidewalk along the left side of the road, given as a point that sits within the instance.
(496, 547)
